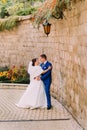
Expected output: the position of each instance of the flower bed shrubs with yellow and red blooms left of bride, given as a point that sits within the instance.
(14, 75)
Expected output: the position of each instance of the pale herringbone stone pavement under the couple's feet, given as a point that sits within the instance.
(13, 118)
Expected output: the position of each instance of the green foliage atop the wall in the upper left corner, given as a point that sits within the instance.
(10, 10)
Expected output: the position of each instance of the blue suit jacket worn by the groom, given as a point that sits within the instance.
(47, 77)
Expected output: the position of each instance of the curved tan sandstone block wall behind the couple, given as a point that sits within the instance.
(66, 48)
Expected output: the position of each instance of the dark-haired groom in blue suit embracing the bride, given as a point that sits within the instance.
(46, 78)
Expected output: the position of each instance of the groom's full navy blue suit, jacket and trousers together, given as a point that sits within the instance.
(47, 79)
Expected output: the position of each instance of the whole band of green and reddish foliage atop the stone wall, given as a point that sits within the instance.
(49, 8)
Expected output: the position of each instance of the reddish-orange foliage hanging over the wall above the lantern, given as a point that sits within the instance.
(53, 8)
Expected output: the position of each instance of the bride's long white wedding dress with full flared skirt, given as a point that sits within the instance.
(34, 96)
